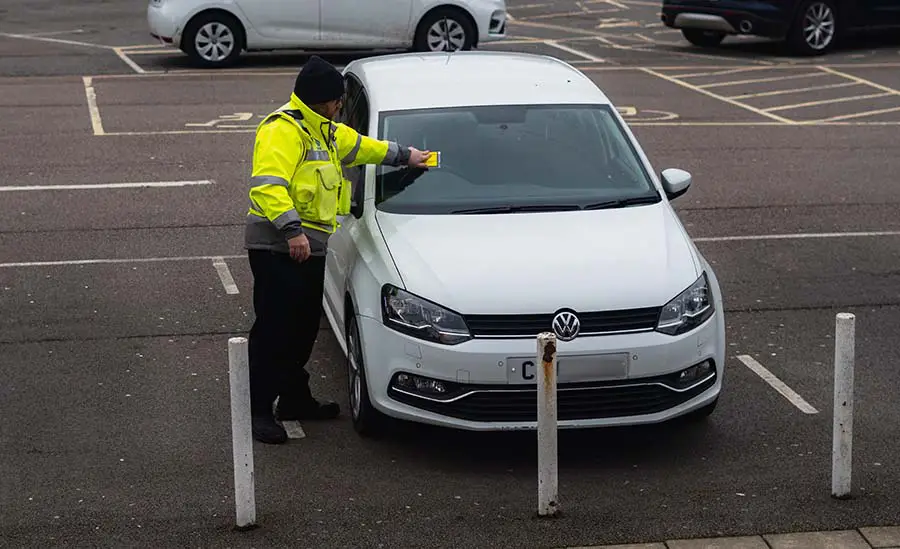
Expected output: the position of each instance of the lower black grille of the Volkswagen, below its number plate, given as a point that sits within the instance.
(574, 401)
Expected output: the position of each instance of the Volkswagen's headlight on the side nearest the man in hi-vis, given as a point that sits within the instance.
(421, 318)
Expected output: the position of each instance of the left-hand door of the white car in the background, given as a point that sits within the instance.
(287, 23)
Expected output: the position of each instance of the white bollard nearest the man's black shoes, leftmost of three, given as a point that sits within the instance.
(241, 433)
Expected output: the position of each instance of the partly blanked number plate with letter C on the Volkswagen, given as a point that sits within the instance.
(570, 368)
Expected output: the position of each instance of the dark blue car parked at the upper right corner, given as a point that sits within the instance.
(809, 27)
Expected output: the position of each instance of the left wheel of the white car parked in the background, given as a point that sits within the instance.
(213, 39)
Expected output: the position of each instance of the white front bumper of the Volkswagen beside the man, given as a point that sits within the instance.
(482, 397)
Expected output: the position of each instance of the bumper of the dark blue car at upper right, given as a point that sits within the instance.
(765, 19)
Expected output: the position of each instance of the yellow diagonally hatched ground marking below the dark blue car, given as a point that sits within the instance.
(817, 94)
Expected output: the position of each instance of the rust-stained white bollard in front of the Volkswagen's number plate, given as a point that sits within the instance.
(548, 490)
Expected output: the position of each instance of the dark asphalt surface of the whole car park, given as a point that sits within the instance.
(114, 402)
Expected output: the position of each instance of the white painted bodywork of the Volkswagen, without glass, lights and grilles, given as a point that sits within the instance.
(524, 263)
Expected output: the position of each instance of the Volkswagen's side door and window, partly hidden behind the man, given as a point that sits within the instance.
(342, 251)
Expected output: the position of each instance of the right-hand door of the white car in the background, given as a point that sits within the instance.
(371, 24)
